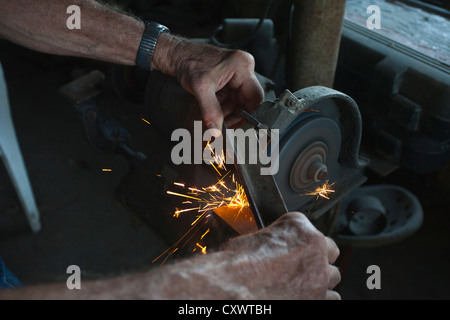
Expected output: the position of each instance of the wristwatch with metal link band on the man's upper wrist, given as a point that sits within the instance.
(148, 44)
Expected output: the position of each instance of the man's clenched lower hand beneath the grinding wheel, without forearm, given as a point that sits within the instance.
(290, 259)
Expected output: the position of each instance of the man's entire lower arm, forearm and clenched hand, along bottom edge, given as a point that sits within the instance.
(288, 260)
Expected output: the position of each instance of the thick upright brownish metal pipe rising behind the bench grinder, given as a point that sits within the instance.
(314, 48)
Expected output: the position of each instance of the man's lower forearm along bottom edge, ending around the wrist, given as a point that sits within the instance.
(202, 277)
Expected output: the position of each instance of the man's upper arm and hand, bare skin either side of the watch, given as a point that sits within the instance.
(222, 80)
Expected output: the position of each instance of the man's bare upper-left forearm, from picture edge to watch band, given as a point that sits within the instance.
(40, 25)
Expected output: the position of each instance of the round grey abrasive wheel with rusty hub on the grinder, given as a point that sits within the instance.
(309, 152)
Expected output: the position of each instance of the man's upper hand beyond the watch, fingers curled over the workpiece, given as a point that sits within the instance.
(222, 80)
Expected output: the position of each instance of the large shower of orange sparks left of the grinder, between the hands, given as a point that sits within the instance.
(227, 192)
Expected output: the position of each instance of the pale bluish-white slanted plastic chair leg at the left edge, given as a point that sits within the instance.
(12, 158)
